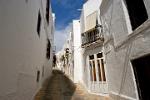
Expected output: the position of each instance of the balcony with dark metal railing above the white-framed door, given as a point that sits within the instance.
(92, 36)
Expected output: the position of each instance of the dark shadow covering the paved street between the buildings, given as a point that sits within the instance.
(57, 87)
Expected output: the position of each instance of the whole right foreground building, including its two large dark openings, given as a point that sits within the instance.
(126, 27)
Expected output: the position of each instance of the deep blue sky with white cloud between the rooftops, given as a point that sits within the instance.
(65, 11)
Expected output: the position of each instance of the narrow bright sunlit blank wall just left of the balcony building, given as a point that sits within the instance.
(78, 73)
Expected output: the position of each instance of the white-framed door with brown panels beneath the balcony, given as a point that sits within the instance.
(97, 73)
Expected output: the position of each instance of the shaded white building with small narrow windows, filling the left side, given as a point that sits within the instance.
(26, 43)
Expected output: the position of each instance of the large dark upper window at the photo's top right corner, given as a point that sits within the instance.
(137, 12)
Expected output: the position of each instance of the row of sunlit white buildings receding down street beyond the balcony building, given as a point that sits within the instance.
(72, 67)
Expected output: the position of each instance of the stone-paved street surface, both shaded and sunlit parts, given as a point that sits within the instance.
(60, 87)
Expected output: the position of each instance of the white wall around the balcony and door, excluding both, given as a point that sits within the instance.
(89, 7)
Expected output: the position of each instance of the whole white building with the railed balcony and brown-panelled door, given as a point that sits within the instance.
(93, 58)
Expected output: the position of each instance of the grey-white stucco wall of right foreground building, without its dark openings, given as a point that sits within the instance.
(122, 46)
